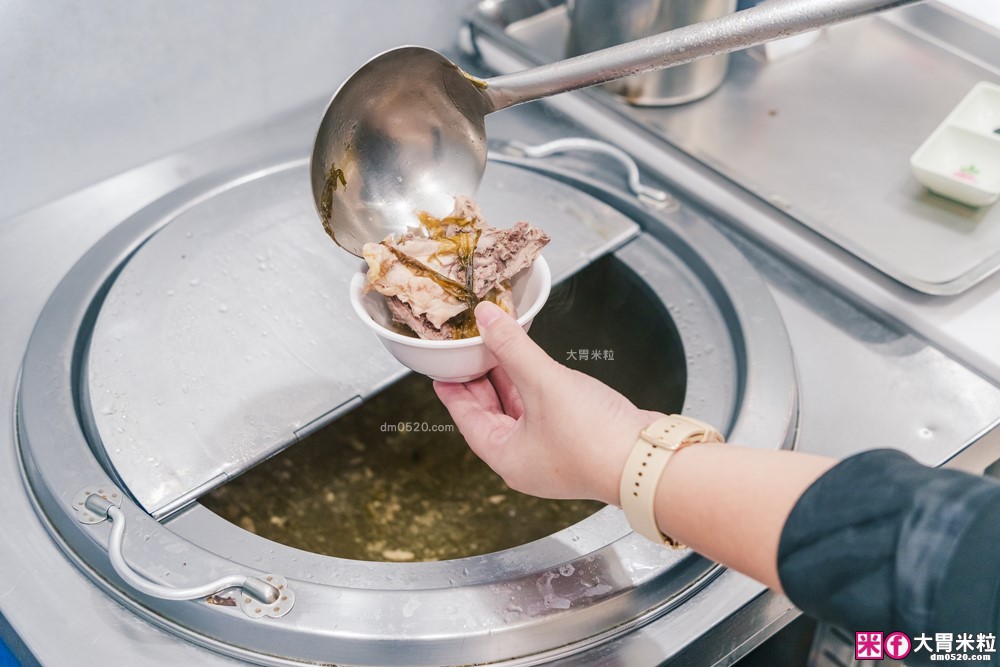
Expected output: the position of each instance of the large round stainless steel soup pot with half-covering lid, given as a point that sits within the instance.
(178, 353)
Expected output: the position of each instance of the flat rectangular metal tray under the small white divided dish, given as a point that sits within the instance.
(824, 135)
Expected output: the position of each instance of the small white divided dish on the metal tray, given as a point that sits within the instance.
(961, 158)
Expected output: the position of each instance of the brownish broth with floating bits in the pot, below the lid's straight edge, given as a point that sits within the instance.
(392, 480)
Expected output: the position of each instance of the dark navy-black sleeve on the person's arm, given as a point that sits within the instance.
(882, 543)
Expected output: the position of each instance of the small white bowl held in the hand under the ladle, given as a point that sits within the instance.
(449, 360)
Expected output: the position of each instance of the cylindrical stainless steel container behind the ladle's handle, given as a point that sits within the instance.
(598, 24)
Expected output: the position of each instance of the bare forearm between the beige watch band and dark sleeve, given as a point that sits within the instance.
(730, 503)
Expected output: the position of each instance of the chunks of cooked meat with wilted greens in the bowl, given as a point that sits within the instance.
(433, 277)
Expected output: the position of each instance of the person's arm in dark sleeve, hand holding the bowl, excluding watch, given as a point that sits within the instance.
(879, 541)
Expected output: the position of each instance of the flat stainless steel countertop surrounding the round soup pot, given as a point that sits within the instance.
(875, 362)
